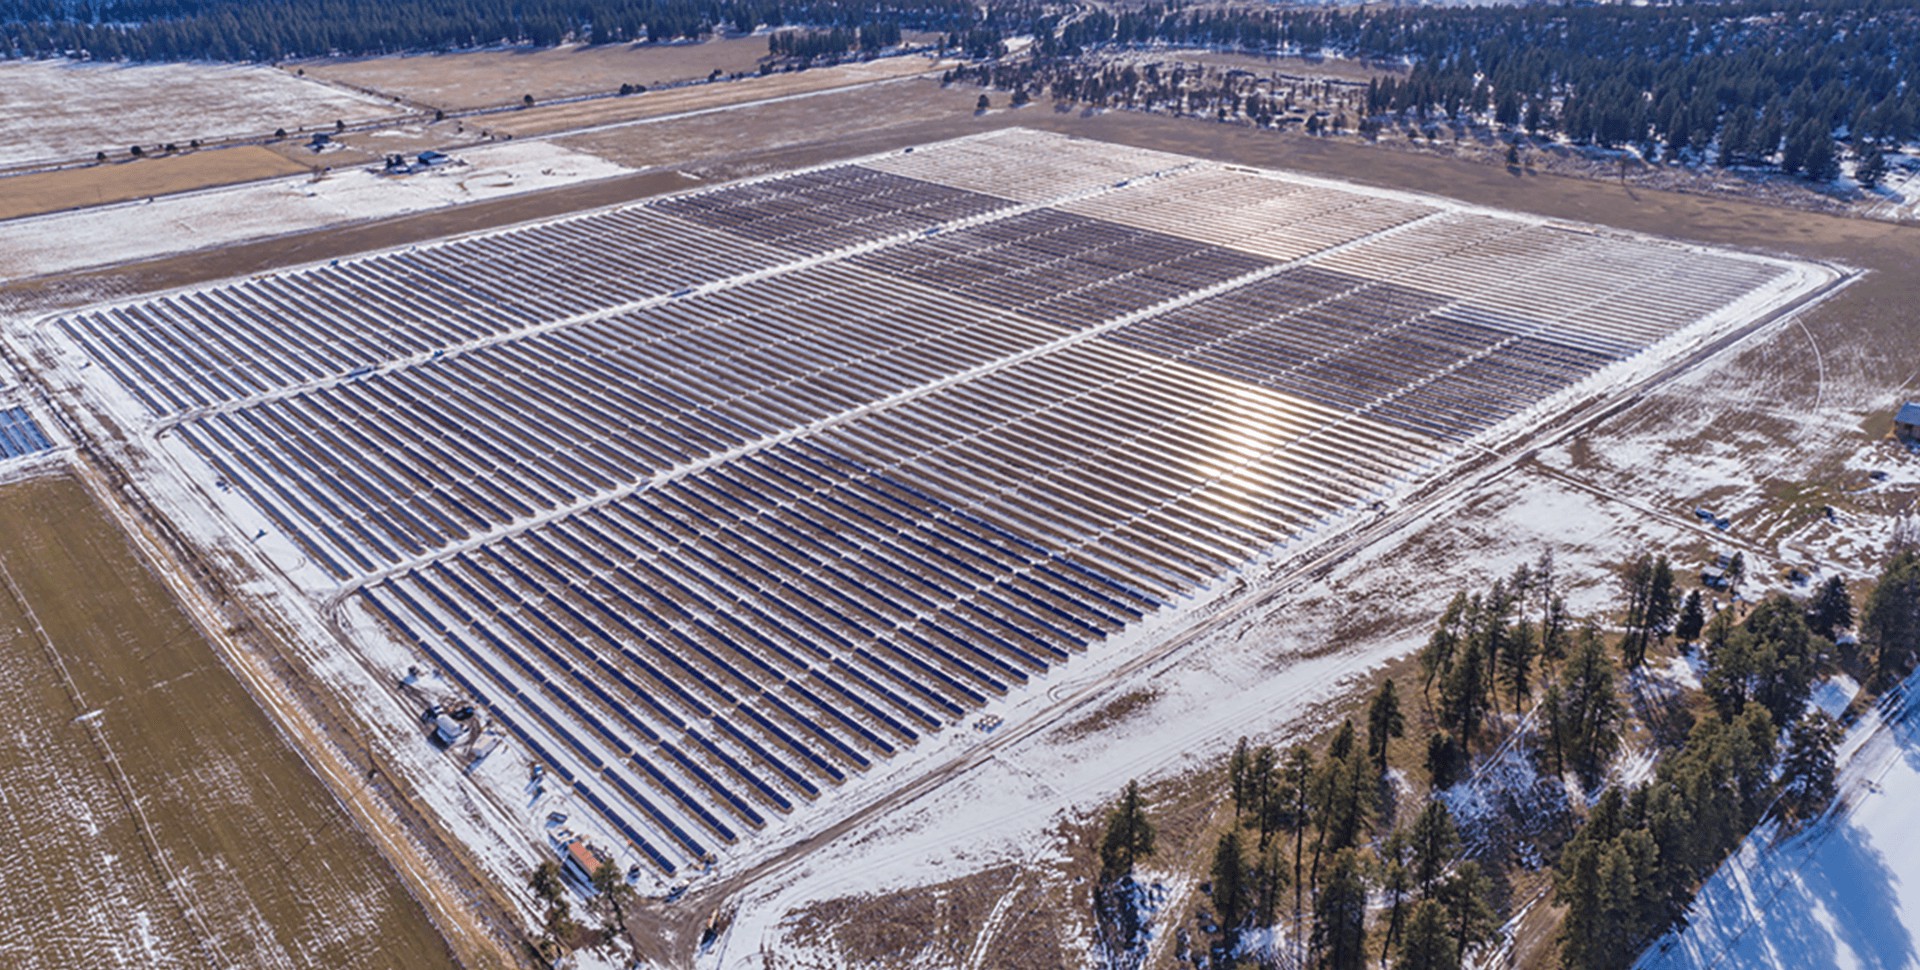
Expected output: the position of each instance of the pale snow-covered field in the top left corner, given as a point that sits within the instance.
(59, 110)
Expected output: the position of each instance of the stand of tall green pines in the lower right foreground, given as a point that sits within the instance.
(1489, 775)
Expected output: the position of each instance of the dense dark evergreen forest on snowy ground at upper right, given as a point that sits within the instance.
(1760, 84)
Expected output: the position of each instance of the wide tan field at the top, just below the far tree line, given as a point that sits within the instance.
(491, 78)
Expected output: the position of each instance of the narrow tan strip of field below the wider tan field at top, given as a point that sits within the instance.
(704, 97)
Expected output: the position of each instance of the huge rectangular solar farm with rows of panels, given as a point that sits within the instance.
(723, 500)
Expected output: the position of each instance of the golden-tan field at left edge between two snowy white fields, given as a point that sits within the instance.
(120, 182)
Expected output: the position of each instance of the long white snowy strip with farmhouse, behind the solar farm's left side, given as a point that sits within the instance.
(274, 208)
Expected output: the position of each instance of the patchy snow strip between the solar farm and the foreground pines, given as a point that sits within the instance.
(1264, 675)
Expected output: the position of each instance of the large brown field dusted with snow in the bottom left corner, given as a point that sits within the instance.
(153, 813)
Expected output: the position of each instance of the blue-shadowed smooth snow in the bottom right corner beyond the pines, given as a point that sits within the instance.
(1844, 892)
